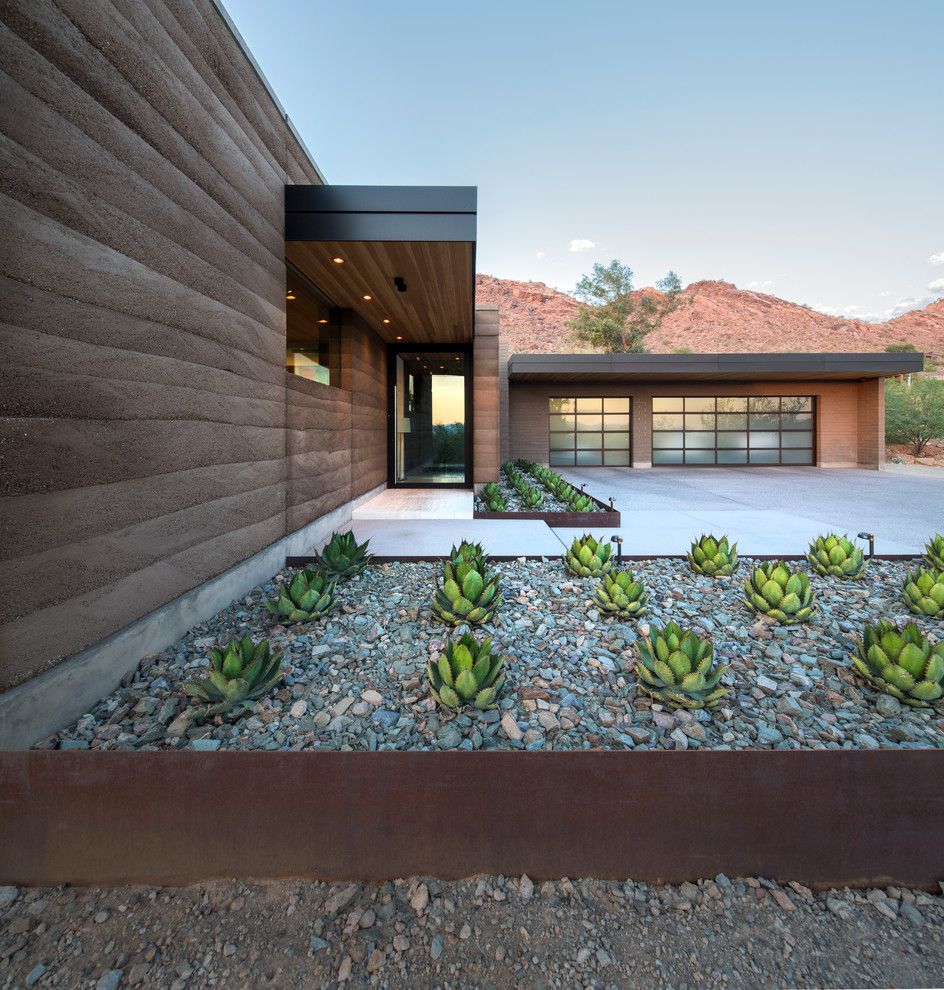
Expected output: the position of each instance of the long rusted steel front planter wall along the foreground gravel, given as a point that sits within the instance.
(824, 818)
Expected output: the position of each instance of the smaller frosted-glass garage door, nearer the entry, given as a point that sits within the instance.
(589, 432)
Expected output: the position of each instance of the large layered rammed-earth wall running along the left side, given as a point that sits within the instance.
(143, 444)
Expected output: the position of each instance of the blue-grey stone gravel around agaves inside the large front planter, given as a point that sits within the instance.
(357, 679)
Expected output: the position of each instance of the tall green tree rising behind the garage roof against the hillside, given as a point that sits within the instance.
(614, 317)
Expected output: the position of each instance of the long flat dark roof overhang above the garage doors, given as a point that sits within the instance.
(709, 367)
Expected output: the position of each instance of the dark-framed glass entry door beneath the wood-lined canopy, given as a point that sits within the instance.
(430, 403)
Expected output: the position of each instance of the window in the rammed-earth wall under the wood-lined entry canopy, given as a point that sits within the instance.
(312, 332)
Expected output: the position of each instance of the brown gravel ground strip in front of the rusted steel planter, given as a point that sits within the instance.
(483, 932)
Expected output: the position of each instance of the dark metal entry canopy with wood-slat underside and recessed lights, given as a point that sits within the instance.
(410, 249)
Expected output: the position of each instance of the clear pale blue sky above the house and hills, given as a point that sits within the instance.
(796, 148)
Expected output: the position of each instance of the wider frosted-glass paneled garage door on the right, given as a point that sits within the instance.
(761, 429)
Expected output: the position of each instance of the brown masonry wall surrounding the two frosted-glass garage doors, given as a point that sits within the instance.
(849, 416)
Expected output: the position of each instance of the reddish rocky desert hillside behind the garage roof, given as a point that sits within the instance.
(721, 318)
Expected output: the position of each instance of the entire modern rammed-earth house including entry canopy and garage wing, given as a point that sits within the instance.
(212, 356)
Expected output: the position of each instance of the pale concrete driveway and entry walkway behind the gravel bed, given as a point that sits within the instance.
(766, 510)
